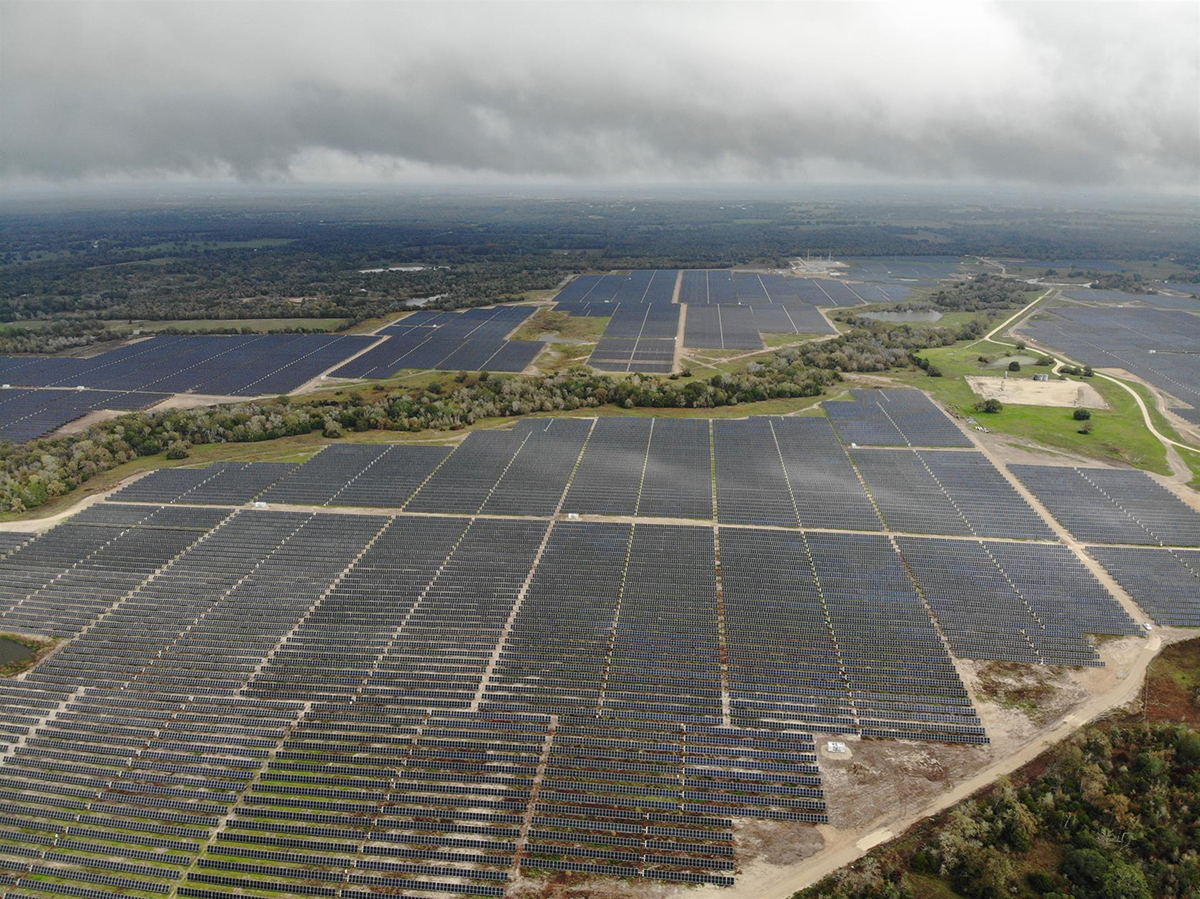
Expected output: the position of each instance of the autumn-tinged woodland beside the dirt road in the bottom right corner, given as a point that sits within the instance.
(1111, 814)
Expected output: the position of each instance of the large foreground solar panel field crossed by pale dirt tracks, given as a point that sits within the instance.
(574, 646)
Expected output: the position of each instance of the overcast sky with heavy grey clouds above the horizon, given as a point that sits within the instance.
(1096, 95)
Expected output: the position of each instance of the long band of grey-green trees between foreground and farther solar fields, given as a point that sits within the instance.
(33, 474)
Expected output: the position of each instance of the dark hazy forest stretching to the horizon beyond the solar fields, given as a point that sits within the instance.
(280, 257)
